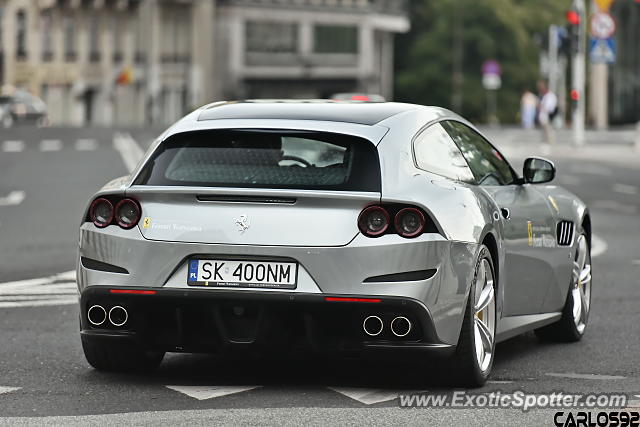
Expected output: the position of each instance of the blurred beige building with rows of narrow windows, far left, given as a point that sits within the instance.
(109, 62)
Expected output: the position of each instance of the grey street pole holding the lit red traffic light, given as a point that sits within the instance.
(579, 76)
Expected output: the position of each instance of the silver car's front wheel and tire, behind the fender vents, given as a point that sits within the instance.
(571, 328)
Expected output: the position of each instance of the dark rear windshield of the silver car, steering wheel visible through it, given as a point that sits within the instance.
(264, 159)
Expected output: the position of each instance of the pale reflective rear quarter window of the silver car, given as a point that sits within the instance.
(436, 152)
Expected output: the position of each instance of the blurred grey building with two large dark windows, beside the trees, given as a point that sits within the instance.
(306, 48)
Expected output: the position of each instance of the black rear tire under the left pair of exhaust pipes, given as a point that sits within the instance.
(105, 356)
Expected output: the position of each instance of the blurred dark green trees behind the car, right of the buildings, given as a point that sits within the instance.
(509, 31)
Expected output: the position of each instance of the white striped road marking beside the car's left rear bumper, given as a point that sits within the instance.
(59, 289)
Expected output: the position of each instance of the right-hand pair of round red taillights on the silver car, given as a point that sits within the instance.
(408, 221)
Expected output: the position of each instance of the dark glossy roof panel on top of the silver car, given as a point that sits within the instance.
(364, 113)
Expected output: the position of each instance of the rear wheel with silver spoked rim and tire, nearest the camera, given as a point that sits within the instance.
(465, 363)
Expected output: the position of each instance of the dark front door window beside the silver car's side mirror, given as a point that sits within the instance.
(486, 163)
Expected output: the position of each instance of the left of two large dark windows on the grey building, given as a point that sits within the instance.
(271, 37)
